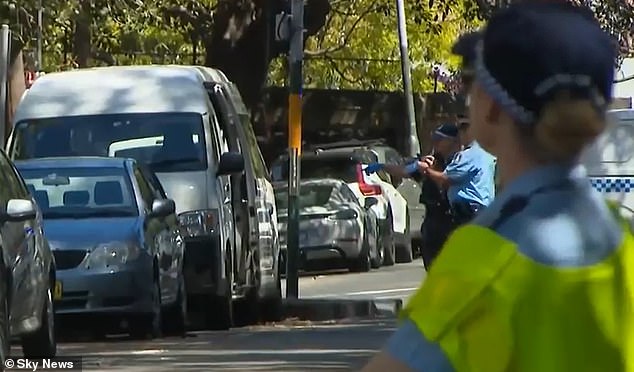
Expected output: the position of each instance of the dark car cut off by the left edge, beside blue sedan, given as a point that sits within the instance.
(27, 270)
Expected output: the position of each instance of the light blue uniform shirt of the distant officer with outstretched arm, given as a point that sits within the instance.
(471, 173)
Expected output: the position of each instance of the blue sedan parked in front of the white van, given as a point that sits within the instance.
(116, 241)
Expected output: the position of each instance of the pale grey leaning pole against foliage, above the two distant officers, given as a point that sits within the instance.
(414, 145)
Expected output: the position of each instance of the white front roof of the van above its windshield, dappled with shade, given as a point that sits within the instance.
(118, 89)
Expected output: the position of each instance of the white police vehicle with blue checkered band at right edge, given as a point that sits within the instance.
(610, 160)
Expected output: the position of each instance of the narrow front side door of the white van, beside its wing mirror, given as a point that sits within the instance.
(243, 189)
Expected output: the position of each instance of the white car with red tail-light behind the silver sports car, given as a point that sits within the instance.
(347, 164)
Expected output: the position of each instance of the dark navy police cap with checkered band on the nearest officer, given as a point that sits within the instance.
(531, 51)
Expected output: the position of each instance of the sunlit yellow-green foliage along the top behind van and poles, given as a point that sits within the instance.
(357, 48)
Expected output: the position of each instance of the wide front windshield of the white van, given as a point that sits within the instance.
(166, 142)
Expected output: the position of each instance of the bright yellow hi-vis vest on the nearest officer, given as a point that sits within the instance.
(492, 309)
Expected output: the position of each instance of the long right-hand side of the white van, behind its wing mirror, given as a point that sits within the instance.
(258, 264)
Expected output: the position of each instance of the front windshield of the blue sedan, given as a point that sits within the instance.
(81, 192)
